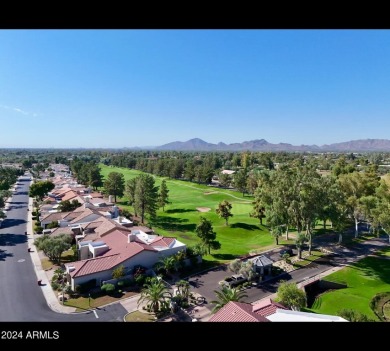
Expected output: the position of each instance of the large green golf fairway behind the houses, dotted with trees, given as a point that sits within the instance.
(181, 216)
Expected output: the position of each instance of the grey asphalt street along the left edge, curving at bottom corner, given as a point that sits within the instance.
(21, 299)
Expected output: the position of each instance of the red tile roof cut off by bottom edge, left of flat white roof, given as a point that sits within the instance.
(237, 312)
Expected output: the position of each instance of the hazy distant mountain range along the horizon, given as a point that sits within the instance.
(196, 144)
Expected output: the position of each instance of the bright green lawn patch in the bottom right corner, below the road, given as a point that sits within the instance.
(364, 279)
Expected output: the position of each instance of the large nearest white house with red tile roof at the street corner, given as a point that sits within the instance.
(116, 248)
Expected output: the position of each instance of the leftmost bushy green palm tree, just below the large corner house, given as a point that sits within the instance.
(156, 294)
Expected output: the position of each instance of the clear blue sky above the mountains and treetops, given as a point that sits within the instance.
(125, 88)
